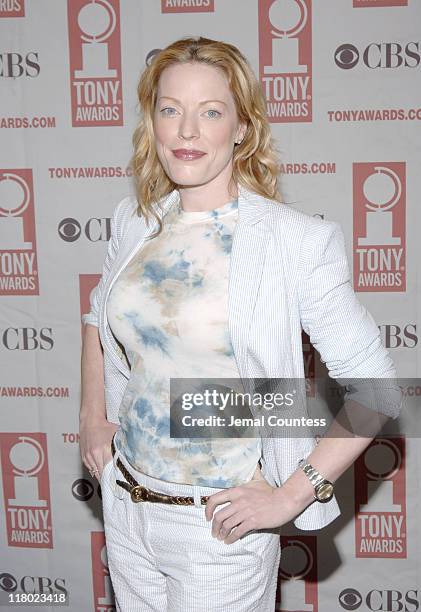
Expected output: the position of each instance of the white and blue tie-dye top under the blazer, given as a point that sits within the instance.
(169, 309)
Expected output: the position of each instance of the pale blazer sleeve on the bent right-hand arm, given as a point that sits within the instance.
(340, 328)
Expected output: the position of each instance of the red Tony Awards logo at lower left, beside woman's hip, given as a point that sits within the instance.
(26, 490)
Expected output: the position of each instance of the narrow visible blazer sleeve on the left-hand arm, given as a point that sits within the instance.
(95, 298)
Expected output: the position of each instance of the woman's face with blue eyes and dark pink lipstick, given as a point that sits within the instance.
(195, 124)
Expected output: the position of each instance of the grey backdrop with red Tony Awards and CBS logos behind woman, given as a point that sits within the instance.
(343, 89)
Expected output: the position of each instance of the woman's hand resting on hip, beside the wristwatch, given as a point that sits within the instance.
(254, 505)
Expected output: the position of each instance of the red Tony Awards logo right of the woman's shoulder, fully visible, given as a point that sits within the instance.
(379, 227)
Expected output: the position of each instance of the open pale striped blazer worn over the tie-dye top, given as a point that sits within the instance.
(288, 272)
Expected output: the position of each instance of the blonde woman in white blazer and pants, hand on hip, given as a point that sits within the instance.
(209, 275)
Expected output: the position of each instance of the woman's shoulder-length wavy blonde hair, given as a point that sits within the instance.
(255, 160)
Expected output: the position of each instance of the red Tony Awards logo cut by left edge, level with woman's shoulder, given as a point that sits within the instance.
(18, 265)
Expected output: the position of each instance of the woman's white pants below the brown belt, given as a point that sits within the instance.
(163, 558)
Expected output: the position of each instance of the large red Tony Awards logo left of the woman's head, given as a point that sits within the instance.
(95, 62)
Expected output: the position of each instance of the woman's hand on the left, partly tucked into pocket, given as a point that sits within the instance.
(95, 435)
